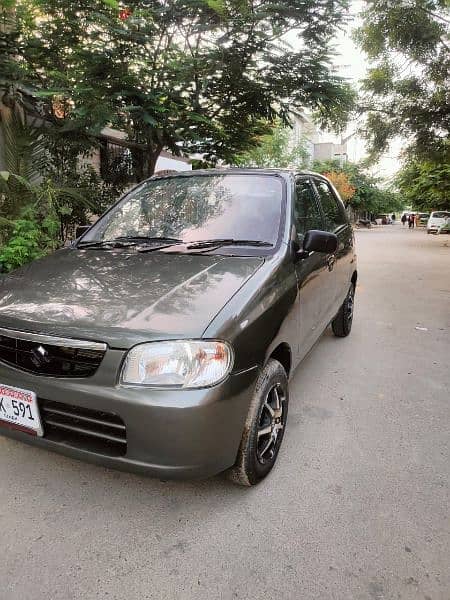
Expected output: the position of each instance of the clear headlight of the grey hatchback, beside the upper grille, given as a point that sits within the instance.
(180, 364)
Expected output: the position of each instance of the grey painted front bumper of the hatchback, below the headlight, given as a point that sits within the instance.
(169, 434)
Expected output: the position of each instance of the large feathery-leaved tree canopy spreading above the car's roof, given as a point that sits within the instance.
(202, 76)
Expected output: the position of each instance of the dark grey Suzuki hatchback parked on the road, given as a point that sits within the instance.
(162, 340)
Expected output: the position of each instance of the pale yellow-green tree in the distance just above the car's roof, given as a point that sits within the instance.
(275, 149)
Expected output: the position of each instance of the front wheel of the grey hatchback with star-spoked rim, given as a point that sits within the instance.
(264, 427)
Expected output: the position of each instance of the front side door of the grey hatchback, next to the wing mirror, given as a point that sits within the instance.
(314, 280)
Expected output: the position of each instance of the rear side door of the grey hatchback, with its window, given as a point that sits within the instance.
(336, 221)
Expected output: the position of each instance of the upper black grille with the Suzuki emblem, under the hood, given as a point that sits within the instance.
(52, 359)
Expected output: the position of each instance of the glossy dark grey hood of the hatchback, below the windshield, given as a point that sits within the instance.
(121, 297)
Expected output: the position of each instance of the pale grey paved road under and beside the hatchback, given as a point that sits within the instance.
(358, 507)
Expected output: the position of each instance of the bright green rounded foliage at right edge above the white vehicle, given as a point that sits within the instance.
(425, 185)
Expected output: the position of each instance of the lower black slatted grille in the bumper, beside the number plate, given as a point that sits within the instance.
(83, 428)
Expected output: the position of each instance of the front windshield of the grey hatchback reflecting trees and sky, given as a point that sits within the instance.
(197, 207)
